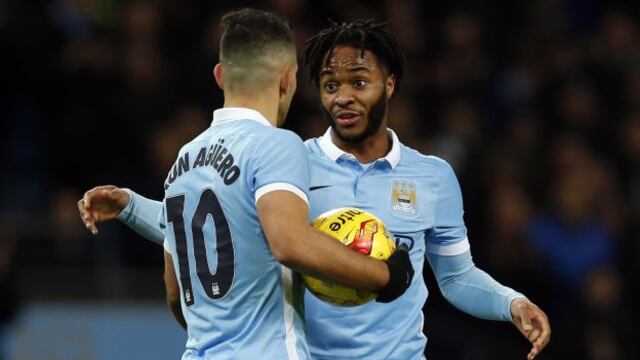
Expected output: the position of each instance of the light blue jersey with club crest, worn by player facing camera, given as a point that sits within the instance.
(419, 200)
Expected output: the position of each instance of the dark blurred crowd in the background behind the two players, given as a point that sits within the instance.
(536, 104)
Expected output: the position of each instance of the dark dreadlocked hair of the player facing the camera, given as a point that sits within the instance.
(361, 34)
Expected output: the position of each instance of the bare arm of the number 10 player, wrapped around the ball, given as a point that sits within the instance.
(284, 218)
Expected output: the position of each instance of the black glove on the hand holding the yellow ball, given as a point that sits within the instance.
(400, 275)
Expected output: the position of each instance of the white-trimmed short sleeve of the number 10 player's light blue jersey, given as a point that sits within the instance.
(280, 163)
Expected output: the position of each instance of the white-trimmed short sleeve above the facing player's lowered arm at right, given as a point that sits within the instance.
(449, 233)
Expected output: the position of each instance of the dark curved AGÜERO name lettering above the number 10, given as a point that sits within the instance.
(216, 156)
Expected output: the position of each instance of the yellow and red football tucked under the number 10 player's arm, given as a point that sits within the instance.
(362, 232)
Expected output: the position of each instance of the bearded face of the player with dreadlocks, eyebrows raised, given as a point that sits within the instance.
(354, 91)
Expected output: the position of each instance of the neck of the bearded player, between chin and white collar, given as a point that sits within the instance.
(370, 149)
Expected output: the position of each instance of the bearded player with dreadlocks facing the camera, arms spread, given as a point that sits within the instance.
(360, 162)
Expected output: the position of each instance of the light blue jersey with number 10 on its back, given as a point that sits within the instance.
(237, 299)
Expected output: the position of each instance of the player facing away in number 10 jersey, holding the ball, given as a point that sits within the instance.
(236, 208)
